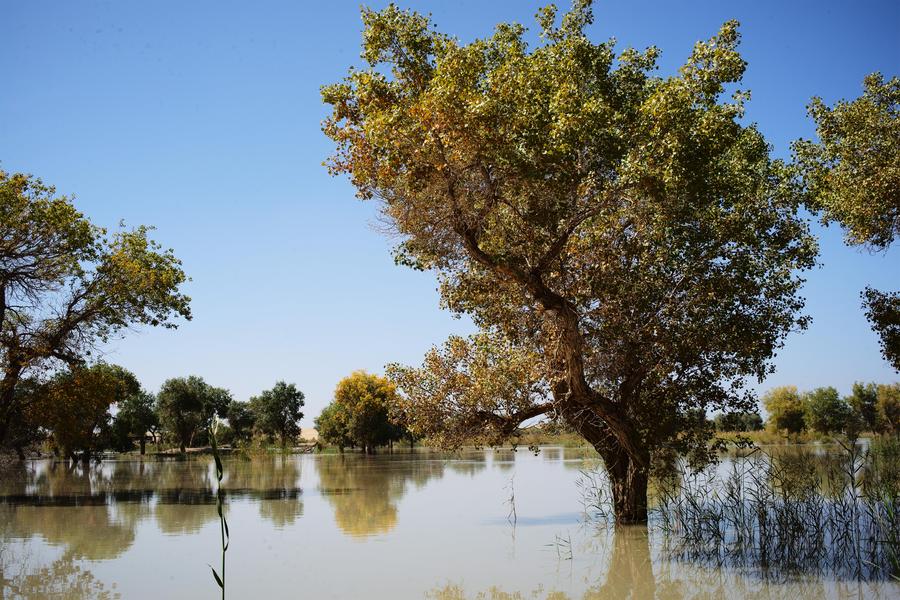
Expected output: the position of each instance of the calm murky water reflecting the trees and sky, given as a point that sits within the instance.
(481, 524)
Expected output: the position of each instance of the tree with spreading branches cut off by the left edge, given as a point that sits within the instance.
(66, 284)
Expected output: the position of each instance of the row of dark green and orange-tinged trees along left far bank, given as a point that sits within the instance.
(89, 409)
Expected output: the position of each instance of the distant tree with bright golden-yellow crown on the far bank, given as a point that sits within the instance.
(365, 402)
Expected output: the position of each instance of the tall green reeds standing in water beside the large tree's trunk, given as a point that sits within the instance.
(797, 510)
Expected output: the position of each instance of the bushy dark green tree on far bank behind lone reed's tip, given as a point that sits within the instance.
(188, 405)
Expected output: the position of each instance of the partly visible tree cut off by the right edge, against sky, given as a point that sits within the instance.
(851, 175)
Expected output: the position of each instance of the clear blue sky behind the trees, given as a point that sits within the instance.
(203, 119)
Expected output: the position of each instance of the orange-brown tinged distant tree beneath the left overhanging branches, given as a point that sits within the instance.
(75, 407)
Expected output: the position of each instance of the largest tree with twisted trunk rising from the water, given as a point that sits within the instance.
(623, 235)
